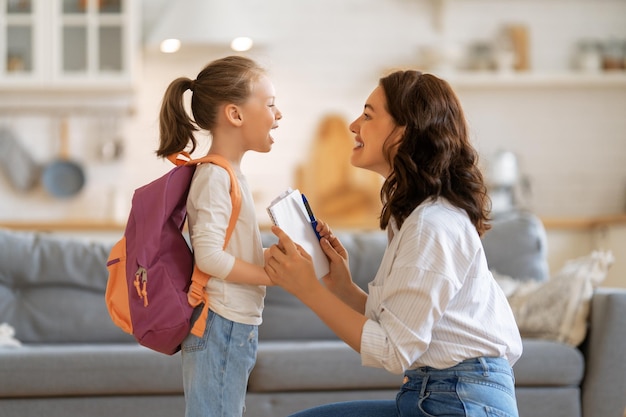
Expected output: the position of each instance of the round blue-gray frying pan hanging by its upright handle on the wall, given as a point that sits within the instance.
(63, 178)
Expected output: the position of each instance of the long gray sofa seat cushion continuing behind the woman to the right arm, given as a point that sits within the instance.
(326, 365)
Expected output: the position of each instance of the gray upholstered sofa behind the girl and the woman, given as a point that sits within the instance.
(74, 362)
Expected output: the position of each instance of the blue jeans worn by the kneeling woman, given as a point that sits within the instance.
(475, 387)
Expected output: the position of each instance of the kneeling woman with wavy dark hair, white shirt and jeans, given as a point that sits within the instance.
(433, 312)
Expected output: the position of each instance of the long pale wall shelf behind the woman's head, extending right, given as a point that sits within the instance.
(495, 80)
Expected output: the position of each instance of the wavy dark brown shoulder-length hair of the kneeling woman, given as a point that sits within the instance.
(434, 158)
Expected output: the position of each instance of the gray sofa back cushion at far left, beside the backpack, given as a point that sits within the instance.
(51, 289)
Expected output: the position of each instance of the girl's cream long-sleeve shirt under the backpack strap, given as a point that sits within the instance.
(208, 209)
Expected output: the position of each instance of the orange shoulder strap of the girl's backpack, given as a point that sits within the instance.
(199, 279)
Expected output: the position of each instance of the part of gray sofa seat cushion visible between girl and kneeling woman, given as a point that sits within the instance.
(315, 365)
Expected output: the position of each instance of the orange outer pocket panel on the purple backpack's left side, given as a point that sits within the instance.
(116, 295)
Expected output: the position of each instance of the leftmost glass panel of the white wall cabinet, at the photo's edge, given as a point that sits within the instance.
(19, 28)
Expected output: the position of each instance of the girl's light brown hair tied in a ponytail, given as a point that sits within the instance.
(226, 80)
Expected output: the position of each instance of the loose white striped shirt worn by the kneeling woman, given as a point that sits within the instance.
(433, 301)
